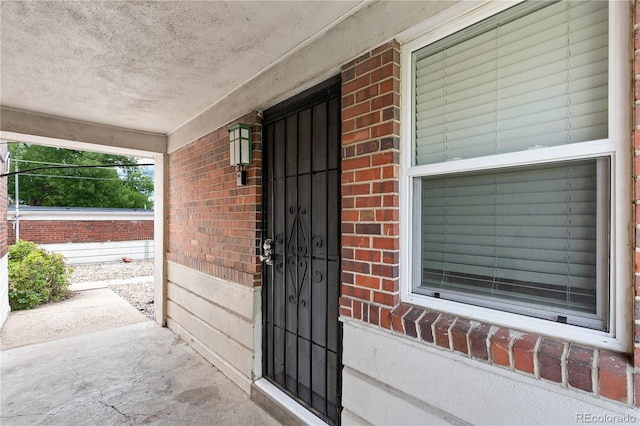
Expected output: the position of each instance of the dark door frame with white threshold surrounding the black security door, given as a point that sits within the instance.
(326, 90)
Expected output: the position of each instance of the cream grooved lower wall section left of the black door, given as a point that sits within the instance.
(215, 317)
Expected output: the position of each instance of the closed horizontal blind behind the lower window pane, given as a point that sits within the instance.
(526, 235)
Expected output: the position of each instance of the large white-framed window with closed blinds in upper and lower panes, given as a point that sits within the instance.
(530, 239)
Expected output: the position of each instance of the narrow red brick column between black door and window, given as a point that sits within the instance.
(370, 185)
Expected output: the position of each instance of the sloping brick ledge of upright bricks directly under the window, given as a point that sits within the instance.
(601, 373)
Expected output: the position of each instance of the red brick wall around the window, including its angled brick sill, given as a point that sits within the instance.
(370, 239)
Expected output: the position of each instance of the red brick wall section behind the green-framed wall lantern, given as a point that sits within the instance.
(214, 225)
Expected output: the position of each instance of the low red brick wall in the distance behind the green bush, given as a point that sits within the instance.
(81, 231)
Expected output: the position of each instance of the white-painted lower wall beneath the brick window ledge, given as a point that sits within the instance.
(424, 385)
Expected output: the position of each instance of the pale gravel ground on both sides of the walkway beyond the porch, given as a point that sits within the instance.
(139, 295)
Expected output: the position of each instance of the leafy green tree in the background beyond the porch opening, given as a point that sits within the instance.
(108, 187)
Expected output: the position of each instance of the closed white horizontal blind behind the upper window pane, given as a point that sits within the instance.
(515, 82)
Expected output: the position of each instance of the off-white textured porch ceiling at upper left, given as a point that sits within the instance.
(147, 66)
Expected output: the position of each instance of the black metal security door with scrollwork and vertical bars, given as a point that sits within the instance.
(302, 227)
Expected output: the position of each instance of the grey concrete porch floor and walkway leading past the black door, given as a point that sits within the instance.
(128, 371)
